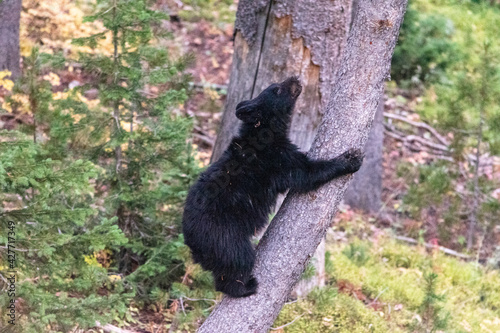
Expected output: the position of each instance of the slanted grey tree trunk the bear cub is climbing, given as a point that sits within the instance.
(302, 221)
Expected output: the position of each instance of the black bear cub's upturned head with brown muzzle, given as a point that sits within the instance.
(273, 105)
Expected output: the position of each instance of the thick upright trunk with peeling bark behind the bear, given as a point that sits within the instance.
(278, 39)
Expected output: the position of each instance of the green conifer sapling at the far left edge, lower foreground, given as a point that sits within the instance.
(59, 232)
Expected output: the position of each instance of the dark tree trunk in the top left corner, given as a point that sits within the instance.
(10, 13)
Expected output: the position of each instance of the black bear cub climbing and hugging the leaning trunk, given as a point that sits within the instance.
(233, 198)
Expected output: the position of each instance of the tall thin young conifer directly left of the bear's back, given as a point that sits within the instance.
(139, 140)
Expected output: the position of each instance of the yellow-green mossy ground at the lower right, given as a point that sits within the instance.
(379, 286)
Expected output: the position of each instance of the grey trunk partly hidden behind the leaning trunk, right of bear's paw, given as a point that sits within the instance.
(365, 190)
